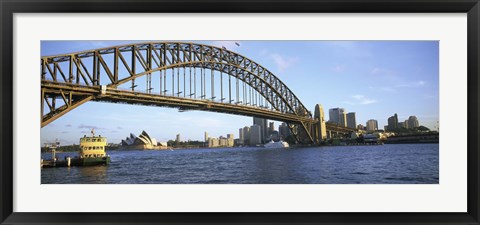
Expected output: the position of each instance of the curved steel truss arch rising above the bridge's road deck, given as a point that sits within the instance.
(143, 60)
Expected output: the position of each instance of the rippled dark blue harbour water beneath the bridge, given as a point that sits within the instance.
(397, 164)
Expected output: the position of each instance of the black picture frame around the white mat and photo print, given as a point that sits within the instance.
(9, 7)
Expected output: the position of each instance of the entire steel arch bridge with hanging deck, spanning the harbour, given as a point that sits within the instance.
(170, 74)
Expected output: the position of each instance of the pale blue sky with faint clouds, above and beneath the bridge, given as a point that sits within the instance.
(375, 79)
